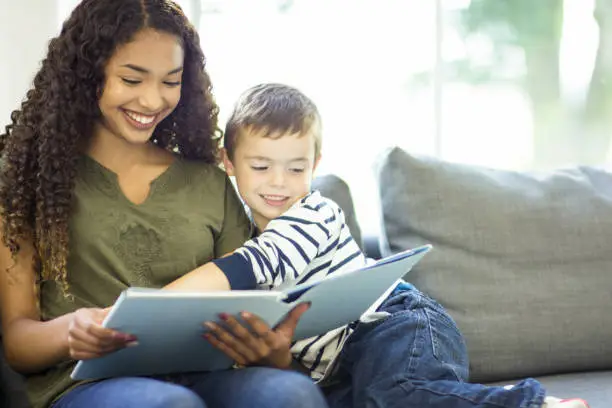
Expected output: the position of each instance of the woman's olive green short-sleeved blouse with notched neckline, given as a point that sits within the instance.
(191, 215)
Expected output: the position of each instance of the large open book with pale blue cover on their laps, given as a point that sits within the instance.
(169, 324)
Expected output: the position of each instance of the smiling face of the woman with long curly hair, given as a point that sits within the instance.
(142, 85)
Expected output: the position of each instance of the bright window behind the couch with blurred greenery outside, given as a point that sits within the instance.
(517, 84)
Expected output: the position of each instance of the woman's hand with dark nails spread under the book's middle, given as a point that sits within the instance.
(256, 344)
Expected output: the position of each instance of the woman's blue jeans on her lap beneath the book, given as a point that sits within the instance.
(245, 388)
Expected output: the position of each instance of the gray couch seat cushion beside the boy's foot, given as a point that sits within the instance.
(593, 387)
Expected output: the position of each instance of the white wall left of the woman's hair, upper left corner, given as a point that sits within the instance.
(27, 26)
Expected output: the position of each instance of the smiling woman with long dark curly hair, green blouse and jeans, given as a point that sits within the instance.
(109, 180)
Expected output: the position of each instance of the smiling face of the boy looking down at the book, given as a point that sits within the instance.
(272, 173)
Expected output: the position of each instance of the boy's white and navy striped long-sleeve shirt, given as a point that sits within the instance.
(308, 242)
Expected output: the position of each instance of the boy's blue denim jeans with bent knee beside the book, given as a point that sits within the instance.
(417, 358)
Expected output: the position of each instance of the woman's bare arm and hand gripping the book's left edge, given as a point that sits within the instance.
(31, 345)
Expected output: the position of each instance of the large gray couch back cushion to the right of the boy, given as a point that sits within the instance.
(522, 261)
